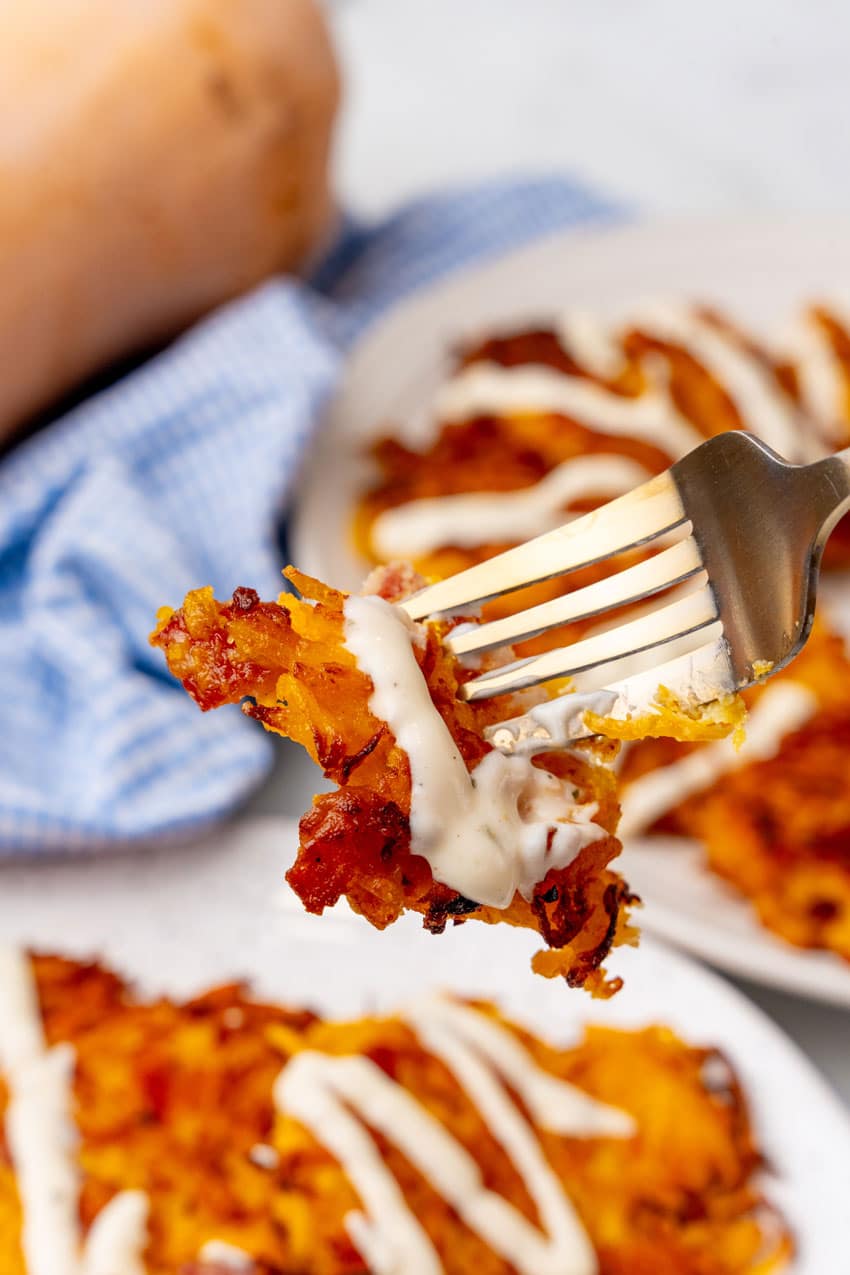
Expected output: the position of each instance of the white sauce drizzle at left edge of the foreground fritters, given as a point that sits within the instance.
(43, 1144)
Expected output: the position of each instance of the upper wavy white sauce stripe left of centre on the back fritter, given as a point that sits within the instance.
(486, 388)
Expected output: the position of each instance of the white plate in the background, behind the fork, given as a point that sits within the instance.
(759, 270)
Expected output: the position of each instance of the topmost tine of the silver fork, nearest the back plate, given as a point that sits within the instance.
(623, 525)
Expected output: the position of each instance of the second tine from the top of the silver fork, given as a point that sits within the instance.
(635, 583)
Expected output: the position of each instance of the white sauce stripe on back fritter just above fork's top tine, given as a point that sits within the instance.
(476, 518)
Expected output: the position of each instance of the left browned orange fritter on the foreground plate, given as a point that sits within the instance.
(170, 1100)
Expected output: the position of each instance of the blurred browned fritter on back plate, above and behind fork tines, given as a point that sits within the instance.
(512, 451)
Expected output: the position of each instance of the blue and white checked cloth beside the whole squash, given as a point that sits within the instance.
(175, 477)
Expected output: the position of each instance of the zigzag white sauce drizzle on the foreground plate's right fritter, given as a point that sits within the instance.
(338, 1097)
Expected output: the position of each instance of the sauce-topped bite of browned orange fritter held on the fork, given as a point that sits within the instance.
(454, 833)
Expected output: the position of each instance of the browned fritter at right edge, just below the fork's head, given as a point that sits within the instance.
(779, 829)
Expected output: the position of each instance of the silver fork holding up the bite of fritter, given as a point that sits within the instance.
(740, 531)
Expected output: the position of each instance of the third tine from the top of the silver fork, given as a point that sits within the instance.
(662, 628)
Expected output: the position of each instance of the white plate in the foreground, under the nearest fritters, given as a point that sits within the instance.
(178, 922)
